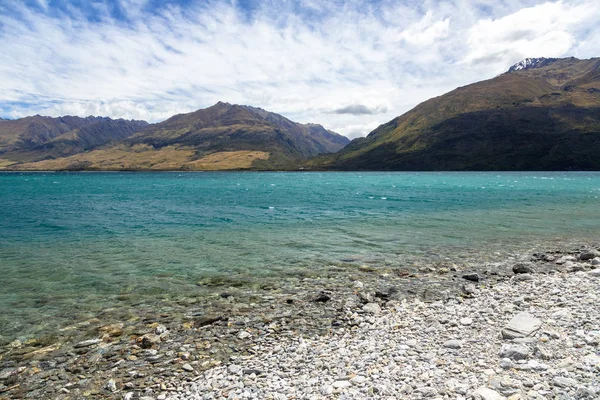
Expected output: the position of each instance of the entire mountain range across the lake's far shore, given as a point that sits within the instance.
(542, 114)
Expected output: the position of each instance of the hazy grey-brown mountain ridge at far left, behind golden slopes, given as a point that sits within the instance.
(39, 138)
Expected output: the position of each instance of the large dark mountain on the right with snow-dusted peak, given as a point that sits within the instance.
(543, 114)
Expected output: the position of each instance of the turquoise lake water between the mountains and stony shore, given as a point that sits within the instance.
(74, 243)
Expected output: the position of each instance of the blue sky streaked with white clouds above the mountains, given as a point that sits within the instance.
(349, 65)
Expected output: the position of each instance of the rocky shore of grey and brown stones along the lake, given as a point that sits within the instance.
(525, 328)
